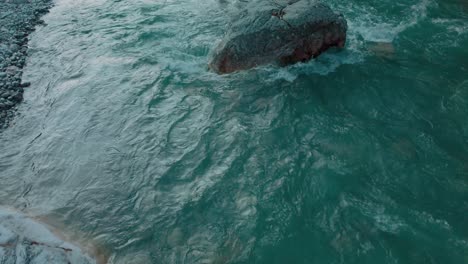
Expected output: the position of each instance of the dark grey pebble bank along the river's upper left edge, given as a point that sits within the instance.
(18, 19)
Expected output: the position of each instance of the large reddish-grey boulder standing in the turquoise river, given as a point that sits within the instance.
(282, 32)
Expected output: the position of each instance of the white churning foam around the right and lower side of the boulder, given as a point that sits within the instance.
(364, 25)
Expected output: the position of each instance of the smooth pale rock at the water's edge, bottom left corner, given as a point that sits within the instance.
(23, 240)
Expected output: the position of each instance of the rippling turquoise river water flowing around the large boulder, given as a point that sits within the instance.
(361, 156)
